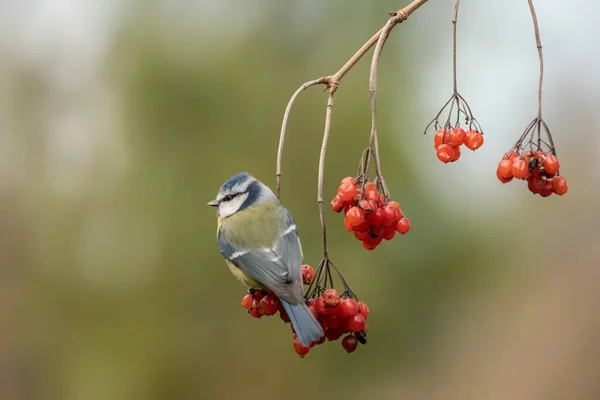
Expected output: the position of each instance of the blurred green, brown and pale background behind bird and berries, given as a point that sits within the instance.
(120, 120)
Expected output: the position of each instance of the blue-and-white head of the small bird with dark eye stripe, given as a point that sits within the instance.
(239, 192)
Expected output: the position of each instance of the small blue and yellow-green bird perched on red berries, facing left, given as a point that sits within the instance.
(258, 239)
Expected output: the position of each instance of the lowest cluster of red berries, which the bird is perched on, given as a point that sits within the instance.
(338, 315)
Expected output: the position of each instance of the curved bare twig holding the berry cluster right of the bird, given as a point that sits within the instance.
(374, 140)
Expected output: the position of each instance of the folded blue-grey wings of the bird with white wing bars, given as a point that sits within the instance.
(278, 268)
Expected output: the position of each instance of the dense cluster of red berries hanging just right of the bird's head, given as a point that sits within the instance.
(370, 216)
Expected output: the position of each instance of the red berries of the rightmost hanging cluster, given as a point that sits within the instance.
(540, 170)
